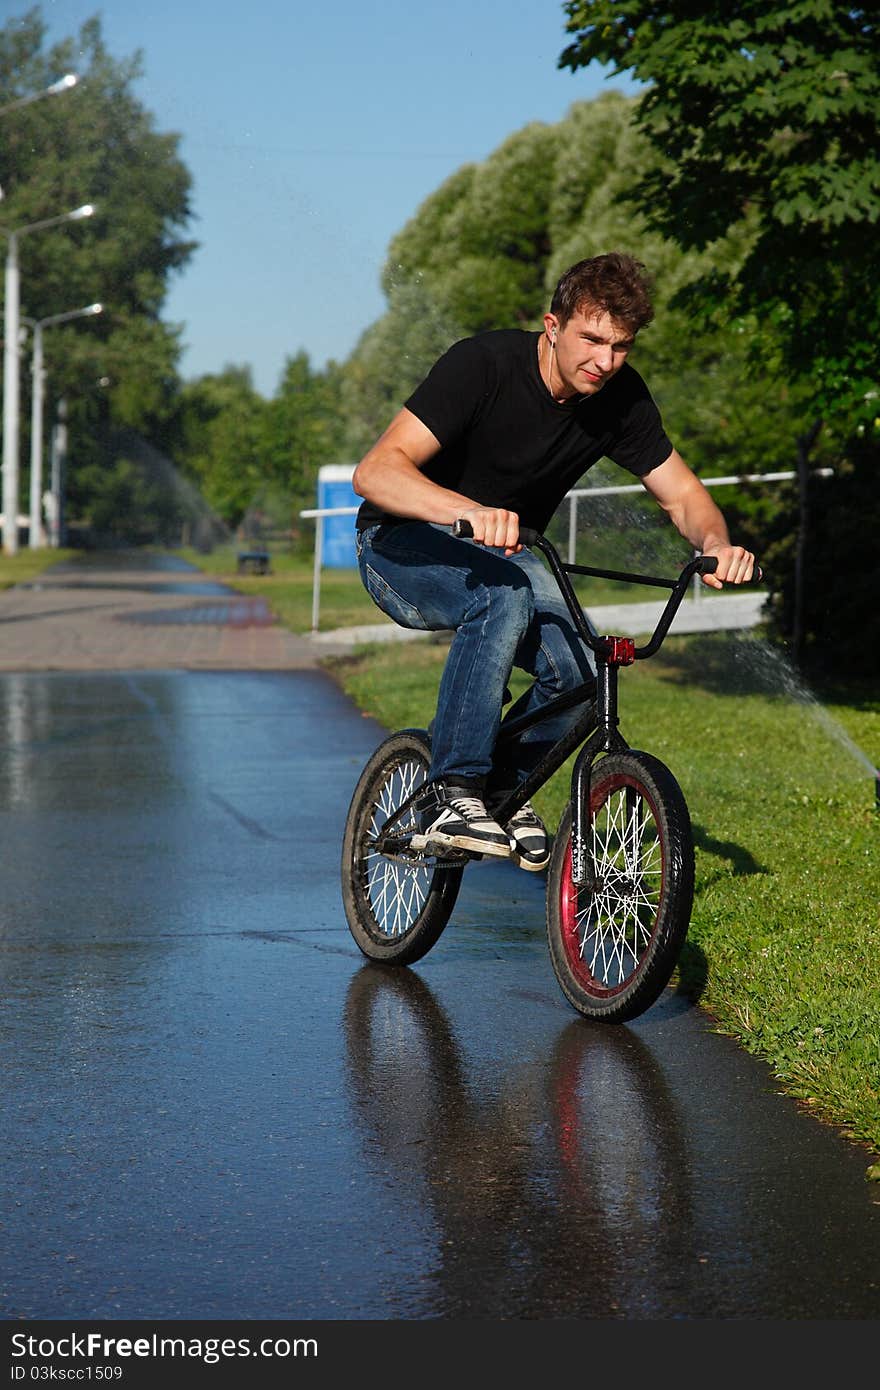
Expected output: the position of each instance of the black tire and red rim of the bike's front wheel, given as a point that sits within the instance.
(626, 1000)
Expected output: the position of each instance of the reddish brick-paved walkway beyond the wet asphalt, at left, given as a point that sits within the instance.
(140, 612)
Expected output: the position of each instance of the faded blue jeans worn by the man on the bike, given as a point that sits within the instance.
(505, 612)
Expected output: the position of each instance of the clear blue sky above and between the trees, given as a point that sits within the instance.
(313, 133)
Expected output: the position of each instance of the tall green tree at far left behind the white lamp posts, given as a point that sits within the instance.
(95, 145)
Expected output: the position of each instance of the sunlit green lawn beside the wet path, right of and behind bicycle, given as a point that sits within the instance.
(785, 935)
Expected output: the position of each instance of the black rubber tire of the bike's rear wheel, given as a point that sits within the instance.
(439, 886)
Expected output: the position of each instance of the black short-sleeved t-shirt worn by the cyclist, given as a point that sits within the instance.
(505, 443)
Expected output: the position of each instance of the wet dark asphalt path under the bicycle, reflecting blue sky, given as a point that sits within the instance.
(213, 1109)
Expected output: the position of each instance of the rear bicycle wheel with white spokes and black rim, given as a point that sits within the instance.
(397, 901)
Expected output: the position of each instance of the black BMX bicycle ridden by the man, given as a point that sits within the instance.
(621, 879)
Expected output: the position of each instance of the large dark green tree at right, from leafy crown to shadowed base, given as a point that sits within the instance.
(765, 123)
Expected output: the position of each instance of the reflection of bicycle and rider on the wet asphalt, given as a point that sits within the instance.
(558, 1186)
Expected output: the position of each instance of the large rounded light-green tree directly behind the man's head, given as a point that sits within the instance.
(480, 255)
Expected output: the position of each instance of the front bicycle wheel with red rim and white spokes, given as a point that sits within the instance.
(615, 943)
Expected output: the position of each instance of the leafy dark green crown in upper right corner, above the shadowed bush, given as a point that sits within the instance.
(767, 116)
